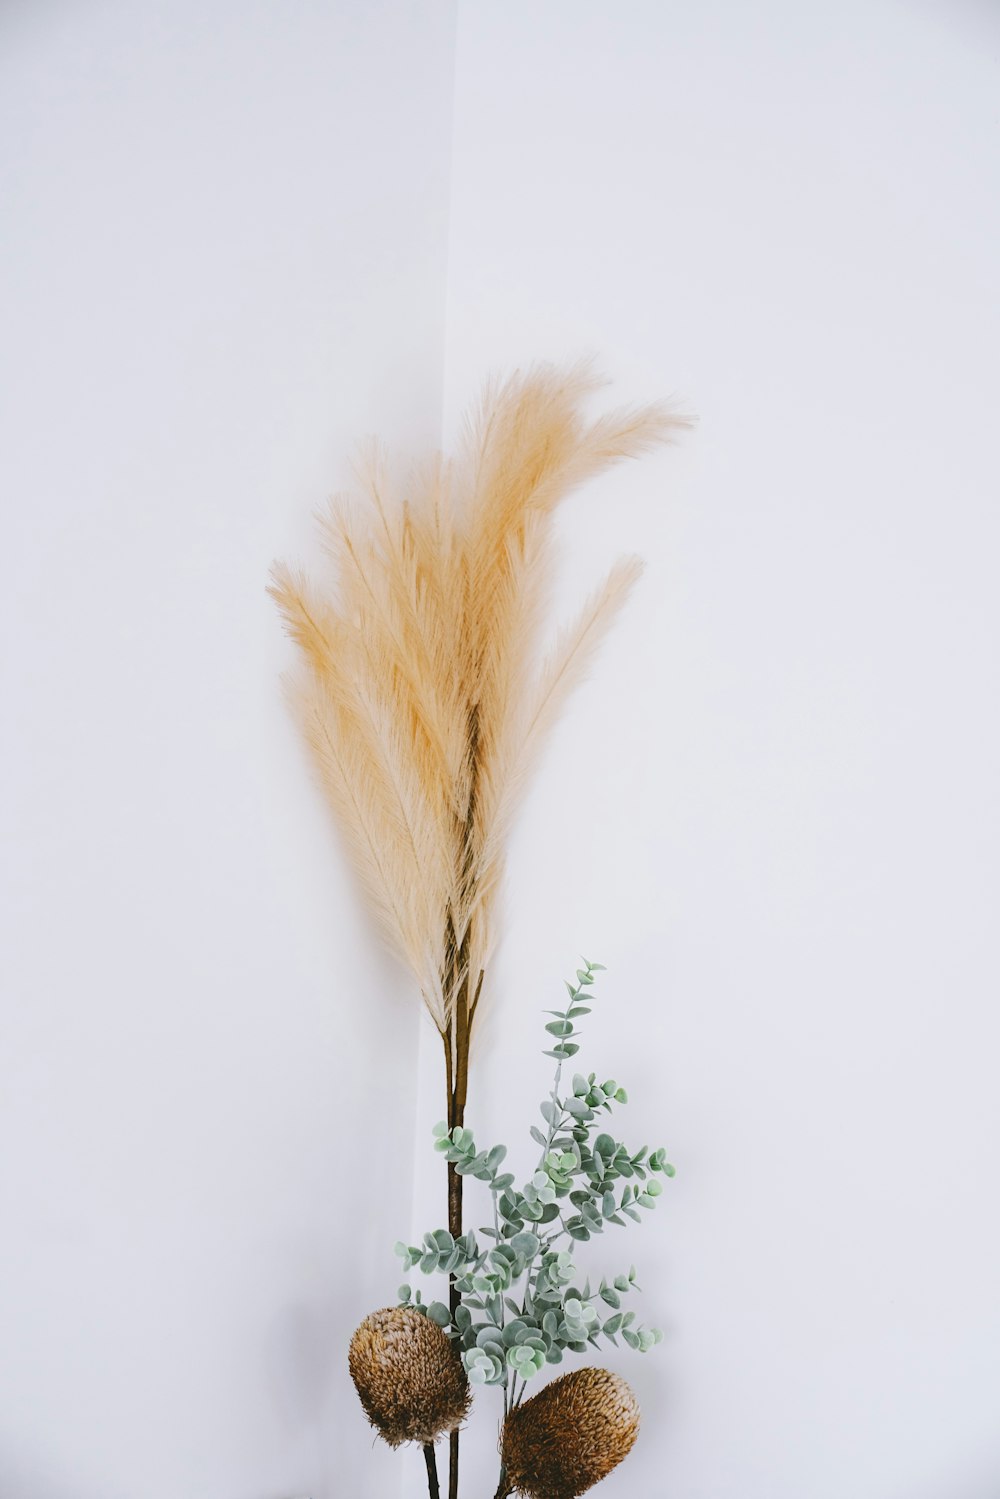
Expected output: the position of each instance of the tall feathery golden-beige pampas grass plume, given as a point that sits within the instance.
(422, 696)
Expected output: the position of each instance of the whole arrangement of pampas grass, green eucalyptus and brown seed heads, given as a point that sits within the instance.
(425, 701)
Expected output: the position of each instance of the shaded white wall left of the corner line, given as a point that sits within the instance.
(224, 262)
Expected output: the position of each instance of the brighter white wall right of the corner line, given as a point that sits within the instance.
(773, 813)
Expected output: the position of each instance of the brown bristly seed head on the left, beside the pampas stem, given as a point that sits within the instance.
(410, 1377)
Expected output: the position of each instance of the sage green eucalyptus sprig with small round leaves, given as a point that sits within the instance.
(521, 1302)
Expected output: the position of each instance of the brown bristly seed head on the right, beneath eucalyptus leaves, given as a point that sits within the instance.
(569, 1437)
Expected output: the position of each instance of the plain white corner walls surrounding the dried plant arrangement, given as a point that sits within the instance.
(771, 812)
